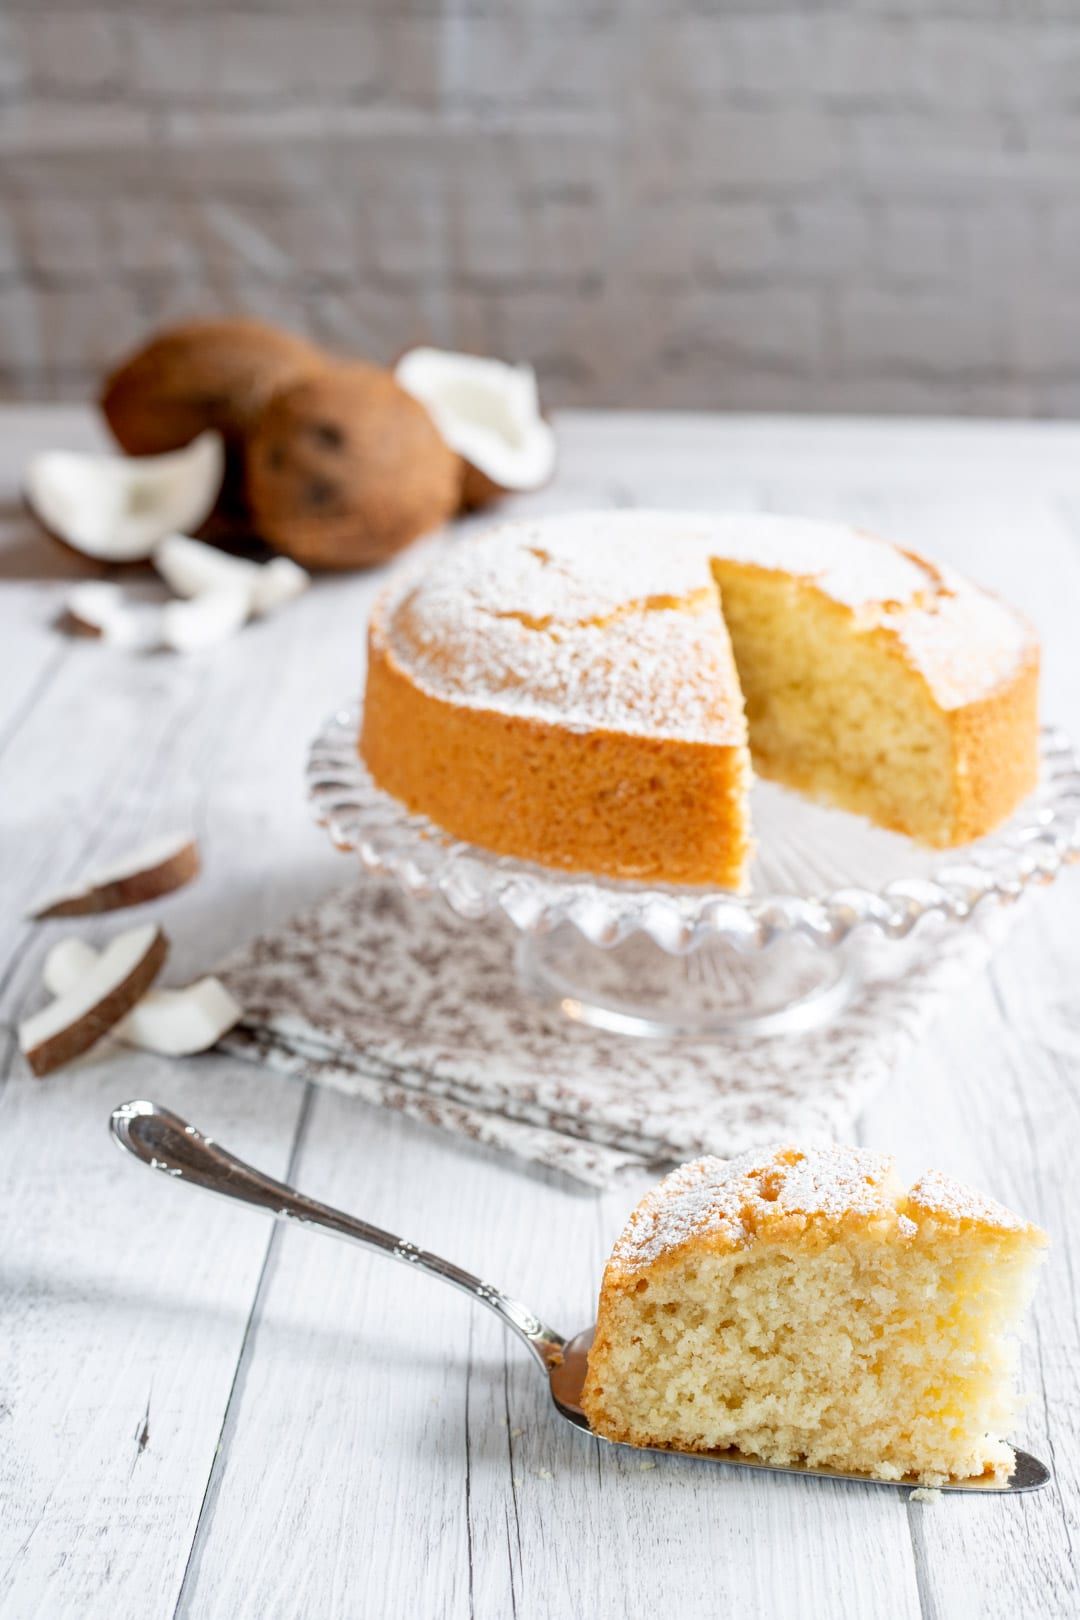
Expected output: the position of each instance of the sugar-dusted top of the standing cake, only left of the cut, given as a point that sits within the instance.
(592, 621)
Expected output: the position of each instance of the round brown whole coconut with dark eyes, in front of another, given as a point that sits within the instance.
(346, 469)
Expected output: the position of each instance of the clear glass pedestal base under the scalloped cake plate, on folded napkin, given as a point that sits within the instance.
(637, 989)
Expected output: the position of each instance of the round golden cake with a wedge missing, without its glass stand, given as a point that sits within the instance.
(564, 691)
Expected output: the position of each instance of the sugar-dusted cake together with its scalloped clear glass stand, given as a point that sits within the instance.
(592, 725)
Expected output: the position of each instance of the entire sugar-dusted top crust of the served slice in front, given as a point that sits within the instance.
(729, 1203)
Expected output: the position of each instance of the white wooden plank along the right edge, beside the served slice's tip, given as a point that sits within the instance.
(985, 1102)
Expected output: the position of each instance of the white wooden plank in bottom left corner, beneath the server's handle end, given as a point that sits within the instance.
(122, 1324)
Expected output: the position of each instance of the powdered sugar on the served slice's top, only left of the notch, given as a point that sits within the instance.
(733, 1198)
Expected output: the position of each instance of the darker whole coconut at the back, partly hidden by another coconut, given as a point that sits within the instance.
(203, 375)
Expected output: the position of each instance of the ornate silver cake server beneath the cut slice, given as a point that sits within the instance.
(168, 1143)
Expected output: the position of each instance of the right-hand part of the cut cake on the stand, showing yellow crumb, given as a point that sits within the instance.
(878, 681)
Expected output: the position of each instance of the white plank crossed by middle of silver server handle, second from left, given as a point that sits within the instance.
(344, 1483)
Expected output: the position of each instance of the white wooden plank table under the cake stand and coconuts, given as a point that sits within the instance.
(205, 1415)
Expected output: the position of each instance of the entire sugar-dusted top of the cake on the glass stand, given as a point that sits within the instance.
(610, 620)
